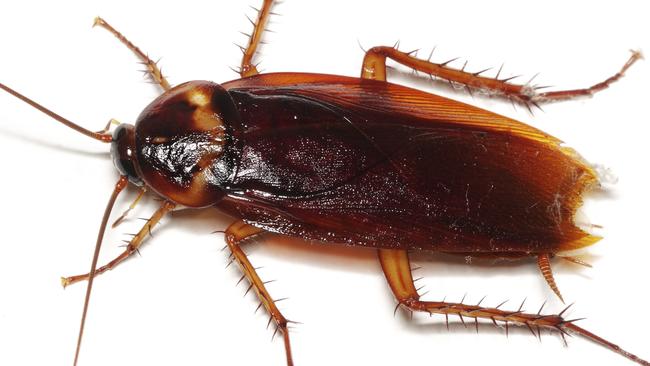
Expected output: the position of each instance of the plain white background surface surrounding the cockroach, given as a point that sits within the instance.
(177, 305)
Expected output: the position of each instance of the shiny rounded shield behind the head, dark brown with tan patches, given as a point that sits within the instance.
(184, 145)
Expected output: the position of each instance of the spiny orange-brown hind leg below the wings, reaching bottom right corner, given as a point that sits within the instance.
(397, 269)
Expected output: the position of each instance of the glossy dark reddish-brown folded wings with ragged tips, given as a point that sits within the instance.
(376, 164)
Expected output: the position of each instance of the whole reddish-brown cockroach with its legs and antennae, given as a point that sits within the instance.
(358, 161)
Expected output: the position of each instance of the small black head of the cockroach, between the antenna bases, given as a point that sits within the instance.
(123, 152)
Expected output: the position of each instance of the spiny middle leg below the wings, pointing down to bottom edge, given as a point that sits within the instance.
(235, 234)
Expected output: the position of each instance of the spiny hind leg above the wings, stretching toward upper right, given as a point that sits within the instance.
(374, 67)
